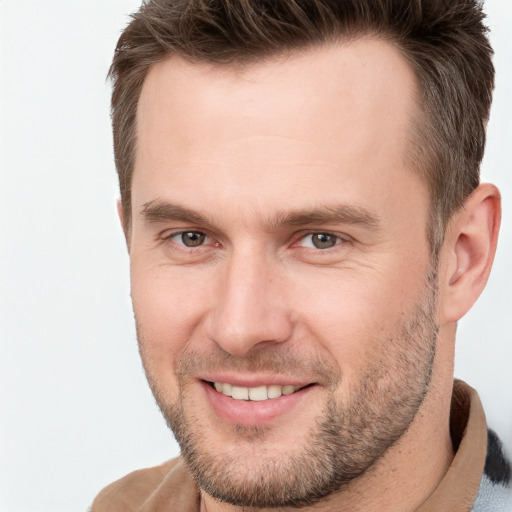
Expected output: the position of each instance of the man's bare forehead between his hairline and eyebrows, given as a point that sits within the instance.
(339, 112)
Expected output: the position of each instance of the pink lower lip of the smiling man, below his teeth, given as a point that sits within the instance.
(252, 413)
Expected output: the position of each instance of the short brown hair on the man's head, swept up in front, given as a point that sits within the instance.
(445, 42)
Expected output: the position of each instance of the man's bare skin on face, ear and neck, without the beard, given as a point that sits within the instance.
(237, 150)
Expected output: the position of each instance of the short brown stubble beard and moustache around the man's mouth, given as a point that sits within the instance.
(347, 439)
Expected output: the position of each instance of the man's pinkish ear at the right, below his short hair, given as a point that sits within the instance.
(468, 251)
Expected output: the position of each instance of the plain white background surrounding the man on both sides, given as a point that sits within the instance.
(75, 410)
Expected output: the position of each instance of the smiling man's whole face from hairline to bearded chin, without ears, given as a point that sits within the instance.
(279, 255)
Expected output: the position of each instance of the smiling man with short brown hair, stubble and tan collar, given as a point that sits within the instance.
(301, 201)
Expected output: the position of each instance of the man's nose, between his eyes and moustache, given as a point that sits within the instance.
(251, 307)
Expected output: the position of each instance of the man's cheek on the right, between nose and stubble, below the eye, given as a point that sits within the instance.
(354, 316)
